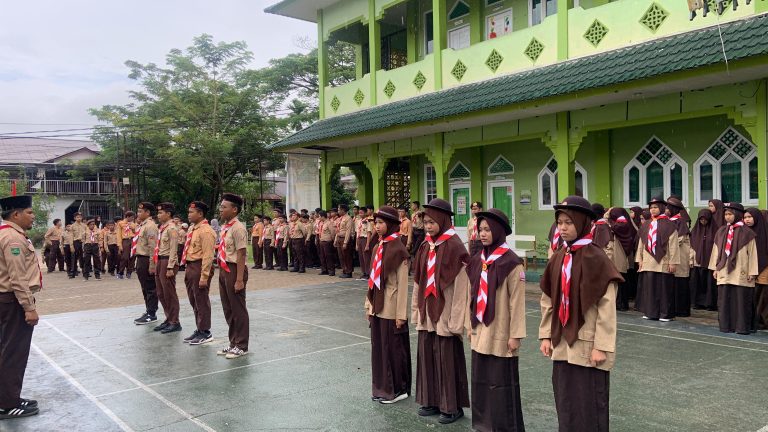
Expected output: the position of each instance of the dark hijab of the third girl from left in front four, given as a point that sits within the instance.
(498, 271)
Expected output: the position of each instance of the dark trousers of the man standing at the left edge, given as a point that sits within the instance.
(15, 340)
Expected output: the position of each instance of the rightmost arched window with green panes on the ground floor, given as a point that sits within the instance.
(727, 171)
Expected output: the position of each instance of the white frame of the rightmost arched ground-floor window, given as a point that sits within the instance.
(716, 173)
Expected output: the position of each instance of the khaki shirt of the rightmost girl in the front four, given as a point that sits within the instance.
(598, 332)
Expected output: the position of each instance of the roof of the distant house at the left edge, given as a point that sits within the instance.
(32, 151)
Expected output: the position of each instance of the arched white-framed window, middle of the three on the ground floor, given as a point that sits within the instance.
(654, 171)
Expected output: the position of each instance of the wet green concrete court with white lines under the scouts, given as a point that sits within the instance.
(91, 369)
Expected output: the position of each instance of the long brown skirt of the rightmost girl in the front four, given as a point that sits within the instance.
(581, 397)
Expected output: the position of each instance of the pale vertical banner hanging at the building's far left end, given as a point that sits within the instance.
(303, 181)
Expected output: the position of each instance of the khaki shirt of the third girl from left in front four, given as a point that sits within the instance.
(508, 322)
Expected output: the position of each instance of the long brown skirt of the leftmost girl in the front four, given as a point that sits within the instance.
(390, 358)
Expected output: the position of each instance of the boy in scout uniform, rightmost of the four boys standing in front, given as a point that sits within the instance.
(233, 275)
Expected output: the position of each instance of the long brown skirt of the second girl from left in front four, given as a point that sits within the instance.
(441, 373)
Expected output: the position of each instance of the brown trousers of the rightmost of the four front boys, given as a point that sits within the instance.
(233, 303)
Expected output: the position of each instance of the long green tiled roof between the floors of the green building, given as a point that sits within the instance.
(686, 51)
